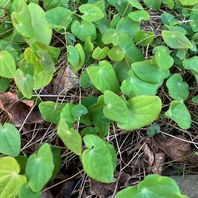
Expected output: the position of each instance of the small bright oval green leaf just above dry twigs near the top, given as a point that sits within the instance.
(139, 15)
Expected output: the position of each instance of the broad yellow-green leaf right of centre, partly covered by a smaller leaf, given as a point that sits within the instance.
(143, 110)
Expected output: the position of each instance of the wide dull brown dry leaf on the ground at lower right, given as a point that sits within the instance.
(174, 148)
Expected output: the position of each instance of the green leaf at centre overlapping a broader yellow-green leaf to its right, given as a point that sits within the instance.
(116, 108)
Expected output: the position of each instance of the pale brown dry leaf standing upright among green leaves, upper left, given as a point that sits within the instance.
(65, 81)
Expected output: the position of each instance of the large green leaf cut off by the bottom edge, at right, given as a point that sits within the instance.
(153, 186)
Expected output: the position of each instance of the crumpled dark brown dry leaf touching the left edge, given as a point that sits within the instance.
(18, 110)
